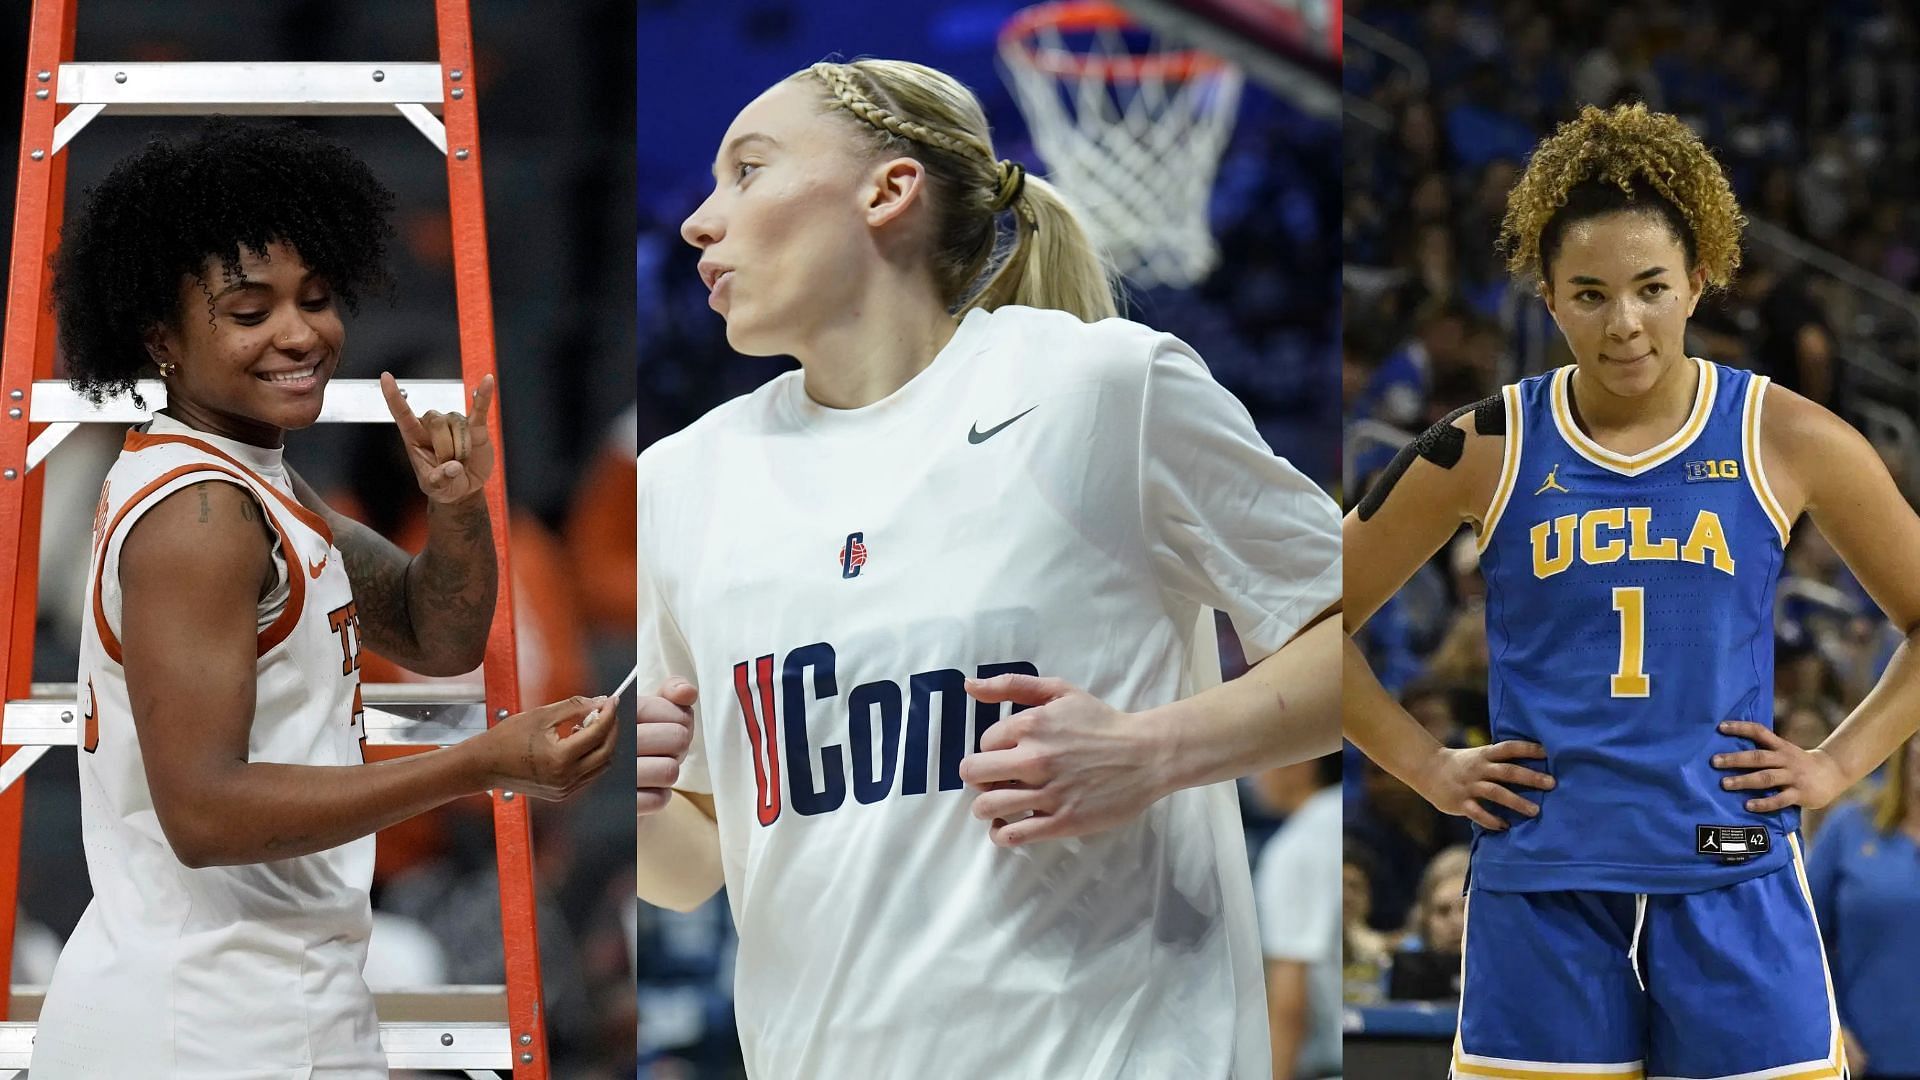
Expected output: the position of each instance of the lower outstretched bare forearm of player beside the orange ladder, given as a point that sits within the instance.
(254, 812)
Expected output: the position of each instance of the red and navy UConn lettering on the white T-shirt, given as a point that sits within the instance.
(892, 731)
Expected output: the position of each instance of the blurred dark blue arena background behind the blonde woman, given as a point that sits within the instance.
(1266, 318)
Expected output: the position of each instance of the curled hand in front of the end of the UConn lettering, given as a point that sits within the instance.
(1063, 768)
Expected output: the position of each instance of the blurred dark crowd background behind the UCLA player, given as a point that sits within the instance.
(1815, 112)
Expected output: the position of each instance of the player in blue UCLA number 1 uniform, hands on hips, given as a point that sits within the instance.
(1637, 906)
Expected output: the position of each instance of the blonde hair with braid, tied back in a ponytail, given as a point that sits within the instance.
(1049, 260)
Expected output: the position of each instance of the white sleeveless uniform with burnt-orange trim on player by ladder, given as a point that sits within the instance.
(224, 971)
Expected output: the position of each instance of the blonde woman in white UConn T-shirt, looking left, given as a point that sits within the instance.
(924, 616)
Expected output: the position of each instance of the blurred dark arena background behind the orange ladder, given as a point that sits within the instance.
(558, 130)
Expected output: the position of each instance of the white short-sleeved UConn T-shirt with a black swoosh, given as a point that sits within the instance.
(1047, 497)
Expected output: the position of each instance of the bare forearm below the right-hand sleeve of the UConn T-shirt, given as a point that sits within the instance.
(1284, 710)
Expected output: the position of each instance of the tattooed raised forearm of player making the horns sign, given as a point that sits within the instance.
(452, 585)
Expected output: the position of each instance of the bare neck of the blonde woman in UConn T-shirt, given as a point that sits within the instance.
(880, 343)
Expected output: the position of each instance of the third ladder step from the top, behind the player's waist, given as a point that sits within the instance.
(398, 714)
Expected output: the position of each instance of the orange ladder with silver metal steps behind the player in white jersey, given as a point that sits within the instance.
(439, 99)
